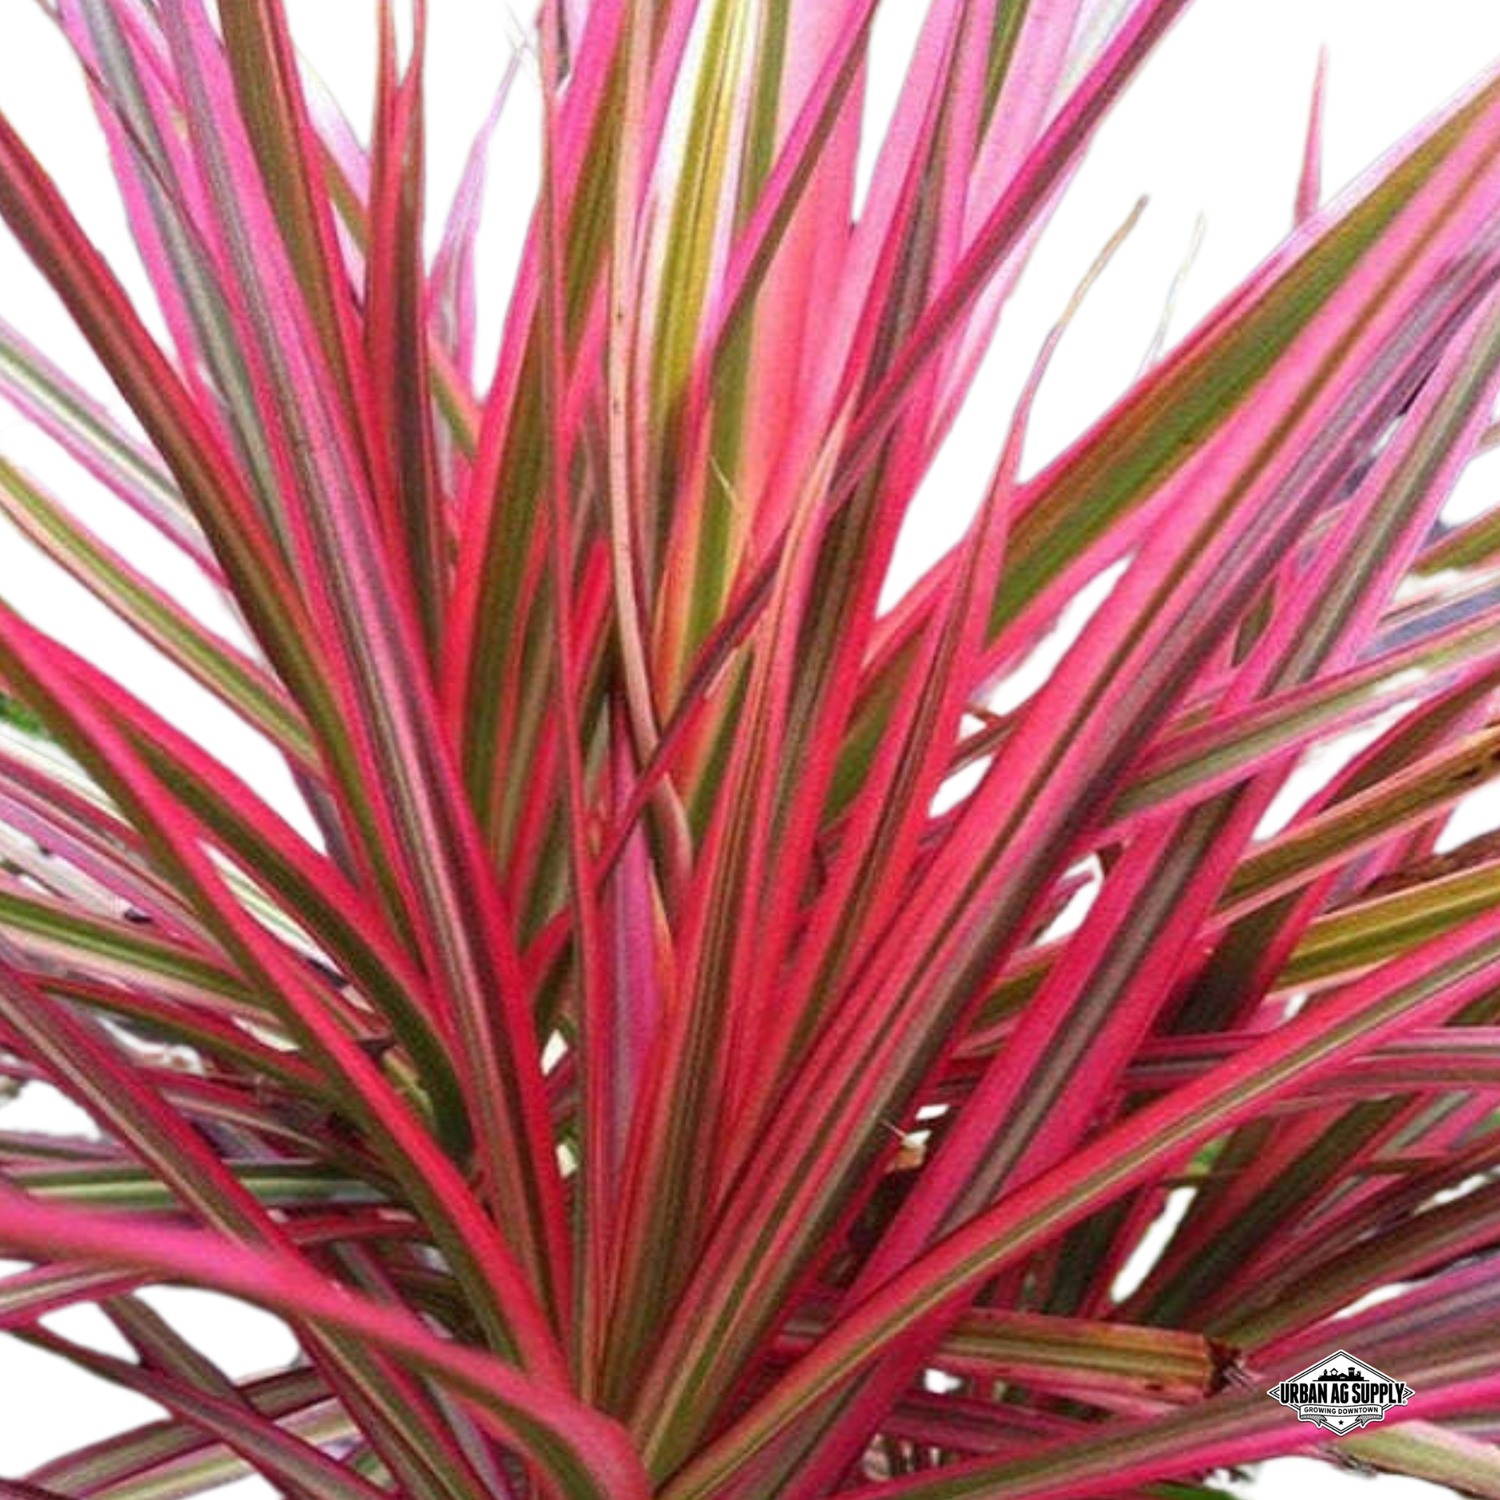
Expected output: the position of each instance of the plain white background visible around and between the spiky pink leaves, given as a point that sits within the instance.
(1216, 122)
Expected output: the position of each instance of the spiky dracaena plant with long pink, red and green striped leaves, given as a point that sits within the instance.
(700, 1034)
